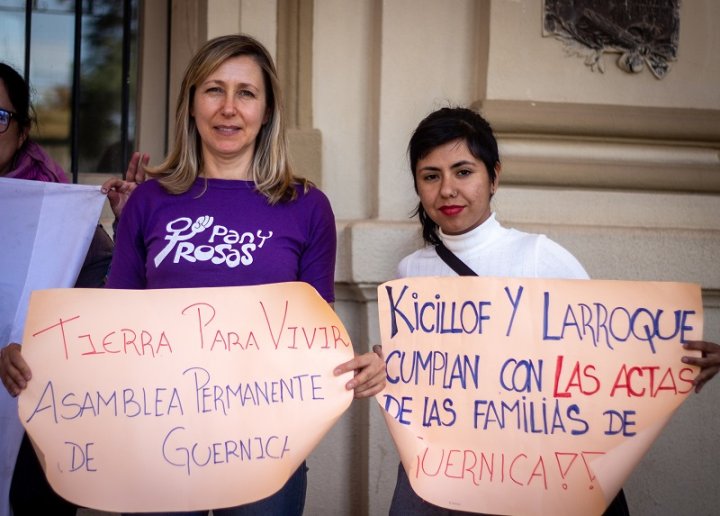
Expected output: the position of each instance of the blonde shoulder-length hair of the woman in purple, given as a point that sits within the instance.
(270, 169)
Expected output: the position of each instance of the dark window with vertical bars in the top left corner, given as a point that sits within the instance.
(81, 61)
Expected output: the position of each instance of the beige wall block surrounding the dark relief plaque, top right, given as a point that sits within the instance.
(542, 71)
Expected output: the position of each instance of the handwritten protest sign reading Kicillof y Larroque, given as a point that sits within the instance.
(530, 396)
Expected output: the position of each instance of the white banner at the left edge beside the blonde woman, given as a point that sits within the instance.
(45, 230)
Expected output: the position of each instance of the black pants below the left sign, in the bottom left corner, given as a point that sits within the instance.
(30, 493)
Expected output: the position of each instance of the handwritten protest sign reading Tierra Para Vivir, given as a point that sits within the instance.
(180, 399)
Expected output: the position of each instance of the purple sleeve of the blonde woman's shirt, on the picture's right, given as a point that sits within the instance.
(317, 263)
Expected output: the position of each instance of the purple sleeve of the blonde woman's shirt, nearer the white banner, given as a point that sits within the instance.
(127, 269)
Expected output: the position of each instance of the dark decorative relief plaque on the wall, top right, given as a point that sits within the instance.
(642, 31)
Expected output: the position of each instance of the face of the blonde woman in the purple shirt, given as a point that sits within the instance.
(230, 107)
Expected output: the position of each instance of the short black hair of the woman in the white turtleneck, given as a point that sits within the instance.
(443, 126)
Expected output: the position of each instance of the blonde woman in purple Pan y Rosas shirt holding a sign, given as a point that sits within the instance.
(225, 208)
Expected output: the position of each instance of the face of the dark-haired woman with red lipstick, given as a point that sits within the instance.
(454, 187)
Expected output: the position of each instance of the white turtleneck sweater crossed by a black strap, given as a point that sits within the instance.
(492, 250)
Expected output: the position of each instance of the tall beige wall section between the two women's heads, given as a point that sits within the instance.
(379, 66)
